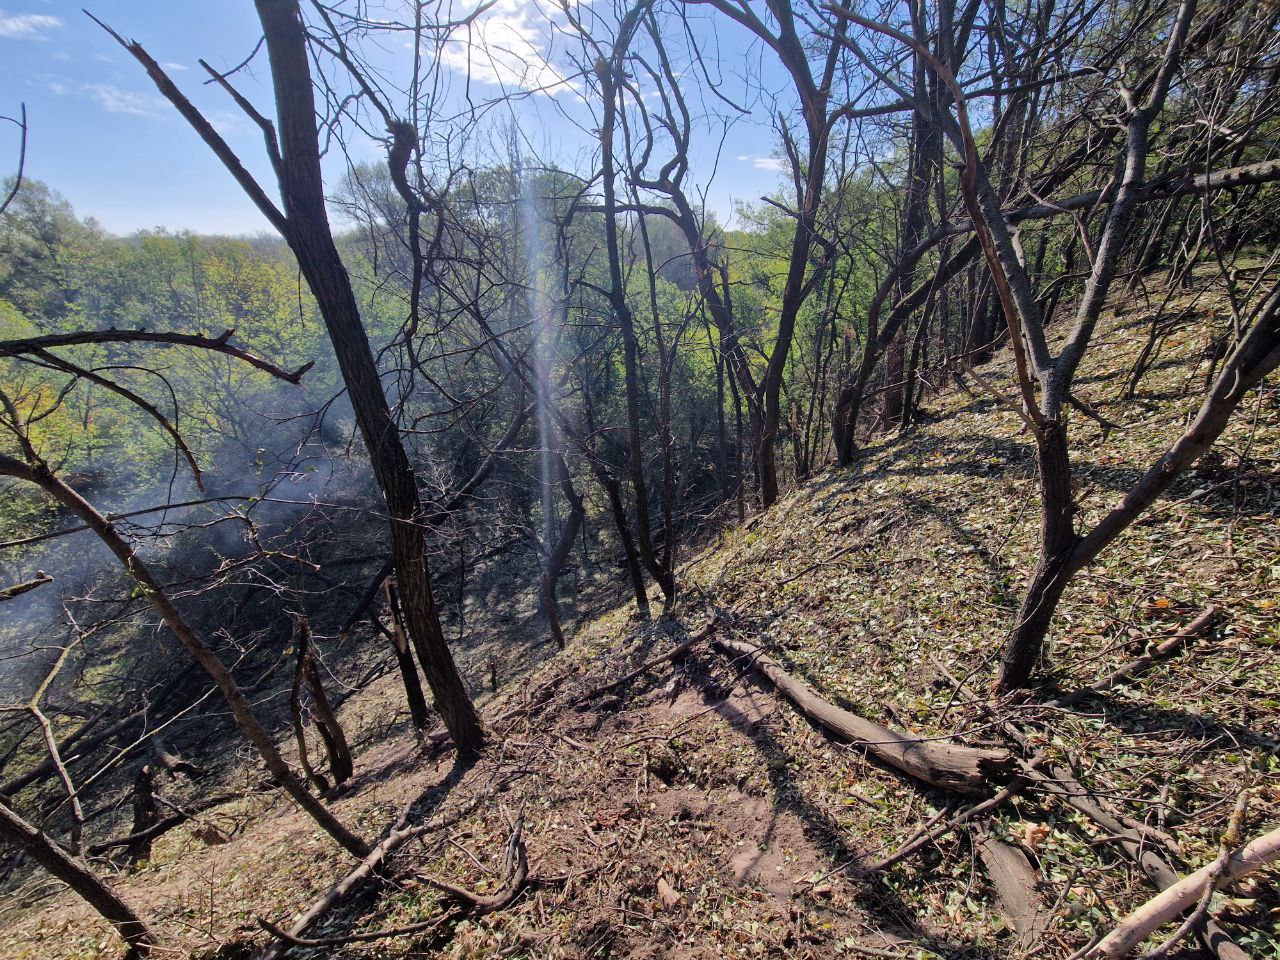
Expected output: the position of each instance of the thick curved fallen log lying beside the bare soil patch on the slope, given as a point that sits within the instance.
(964, 770)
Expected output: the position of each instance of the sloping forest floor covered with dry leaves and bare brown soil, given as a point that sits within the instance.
(693, 813)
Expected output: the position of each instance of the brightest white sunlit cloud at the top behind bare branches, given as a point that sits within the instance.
(509, 45)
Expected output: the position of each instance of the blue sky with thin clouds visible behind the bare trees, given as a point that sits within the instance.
(102, 136)
